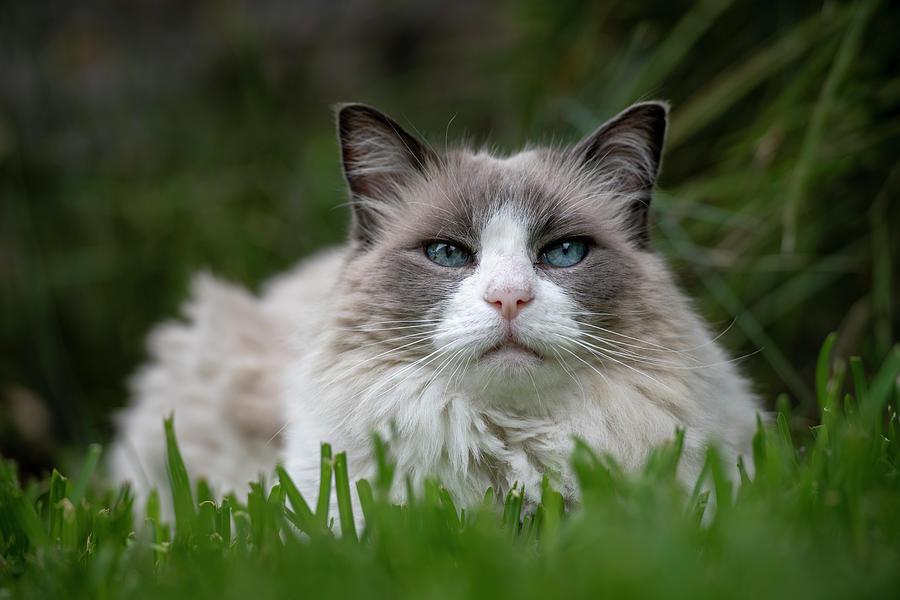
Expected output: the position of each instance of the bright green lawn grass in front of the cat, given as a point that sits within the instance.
(819, 518)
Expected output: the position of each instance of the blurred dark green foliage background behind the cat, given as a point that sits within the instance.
(143, 141)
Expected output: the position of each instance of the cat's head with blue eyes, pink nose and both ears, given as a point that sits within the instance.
(471, 263)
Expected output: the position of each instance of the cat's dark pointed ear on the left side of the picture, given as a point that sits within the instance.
(379, 159)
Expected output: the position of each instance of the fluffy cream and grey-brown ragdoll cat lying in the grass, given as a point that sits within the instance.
(484, 311)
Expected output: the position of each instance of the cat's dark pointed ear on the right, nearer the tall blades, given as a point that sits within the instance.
(624, 155)
